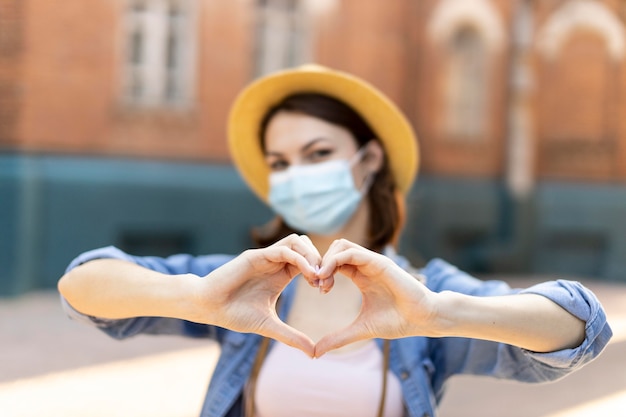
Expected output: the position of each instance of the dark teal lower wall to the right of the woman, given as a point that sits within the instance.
(562, 229)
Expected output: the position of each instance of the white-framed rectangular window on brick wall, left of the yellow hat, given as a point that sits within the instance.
(159, 44)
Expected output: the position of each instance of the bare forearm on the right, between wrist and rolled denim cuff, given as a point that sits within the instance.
(528, 321)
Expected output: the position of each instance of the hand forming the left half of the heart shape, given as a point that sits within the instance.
(241, 295)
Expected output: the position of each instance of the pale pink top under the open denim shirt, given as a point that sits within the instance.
(338, 384)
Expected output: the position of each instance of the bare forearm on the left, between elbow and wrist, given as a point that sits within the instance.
(116, 289)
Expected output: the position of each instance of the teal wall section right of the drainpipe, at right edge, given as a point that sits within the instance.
(581, 230)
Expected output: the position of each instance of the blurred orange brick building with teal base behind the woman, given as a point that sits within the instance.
(112, 124)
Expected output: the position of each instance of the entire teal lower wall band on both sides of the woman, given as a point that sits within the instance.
(53, 208)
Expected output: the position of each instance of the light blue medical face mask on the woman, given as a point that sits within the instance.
(317, 198)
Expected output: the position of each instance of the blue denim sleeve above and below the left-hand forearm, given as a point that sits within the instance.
(177, 264)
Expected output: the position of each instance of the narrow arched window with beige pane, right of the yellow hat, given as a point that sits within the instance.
(465, 85)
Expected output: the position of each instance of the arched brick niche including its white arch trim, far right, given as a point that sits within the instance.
(581, 48)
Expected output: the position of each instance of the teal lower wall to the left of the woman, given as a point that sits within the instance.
(53, 208)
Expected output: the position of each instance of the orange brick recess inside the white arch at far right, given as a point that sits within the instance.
(577, 131)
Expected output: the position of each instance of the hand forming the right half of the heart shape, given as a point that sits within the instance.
(395, 304)
